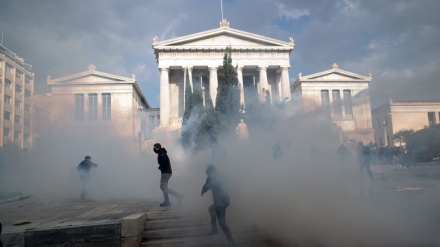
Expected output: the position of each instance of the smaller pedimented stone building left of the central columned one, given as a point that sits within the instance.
(99, 105)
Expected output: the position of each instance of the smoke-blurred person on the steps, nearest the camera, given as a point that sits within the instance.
(218, 184)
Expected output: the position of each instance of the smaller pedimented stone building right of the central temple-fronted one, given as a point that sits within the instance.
(343, 96)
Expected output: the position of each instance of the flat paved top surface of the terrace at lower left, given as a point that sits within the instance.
(37, 213)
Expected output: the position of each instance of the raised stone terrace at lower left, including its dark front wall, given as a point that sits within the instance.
(45, 220)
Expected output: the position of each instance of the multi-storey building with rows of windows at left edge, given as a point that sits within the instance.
(16, 103)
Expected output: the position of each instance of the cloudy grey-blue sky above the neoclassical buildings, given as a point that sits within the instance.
(397, 41)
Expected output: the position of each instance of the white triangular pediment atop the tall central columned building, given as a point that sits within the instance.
(223, 37)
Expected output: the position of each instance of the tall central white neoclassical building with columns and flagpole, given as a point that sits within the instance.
(261, 63)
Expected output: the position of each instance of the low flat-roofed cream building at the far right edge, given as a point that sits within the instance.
(394, 116)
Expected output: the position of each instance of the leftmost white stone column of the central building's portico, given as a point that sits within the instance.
(164, 97)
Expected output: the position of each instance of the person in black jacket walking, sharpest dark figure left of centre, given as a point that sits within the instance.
(166, 172)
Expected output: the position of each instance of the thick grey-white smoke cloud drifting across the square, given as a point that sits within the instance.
(303, 198)
